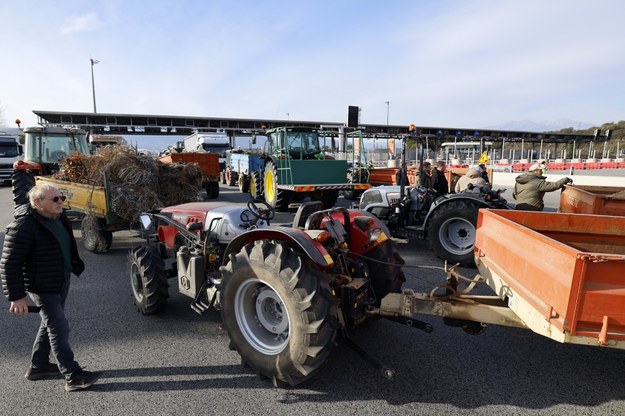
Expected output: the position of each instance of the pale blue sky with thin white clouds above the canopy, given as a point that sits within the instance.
(472, 63)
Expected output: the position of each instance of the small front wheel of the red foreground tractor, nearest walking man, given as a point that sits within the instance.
(148, 280)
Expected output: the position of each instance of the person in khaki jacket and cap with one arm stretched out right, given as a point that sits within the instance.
(530, 188)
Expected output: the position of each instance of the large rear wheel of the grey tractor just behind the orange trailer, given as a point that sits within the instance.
(451, 231)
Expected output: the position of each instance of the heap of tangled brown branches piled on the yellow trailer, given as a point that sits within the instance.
(137, 183)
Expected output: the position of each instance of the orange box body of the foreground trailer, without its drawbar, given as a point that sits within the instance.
(562, 274)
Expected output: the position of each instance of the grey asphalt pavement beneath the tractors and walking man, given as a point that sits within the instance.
(178, 362)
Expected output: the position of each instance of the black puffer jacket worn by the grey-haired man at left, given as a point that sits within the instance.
(32, 259)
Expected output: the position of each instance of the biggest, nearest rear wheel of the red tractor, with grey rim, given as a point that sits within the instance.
(278, 311)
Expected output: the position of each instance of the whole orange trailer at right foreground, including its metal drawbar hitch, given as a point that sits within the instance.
(559, 275)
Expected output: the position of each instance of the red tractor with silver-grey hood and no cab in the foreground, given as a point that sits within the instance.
(286, 293)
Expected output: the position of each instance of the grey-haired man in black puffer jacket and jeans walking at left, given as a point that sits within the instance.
(38, 256)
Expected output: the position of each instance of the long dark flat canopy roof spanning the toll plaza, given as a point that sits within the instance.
(144, 124)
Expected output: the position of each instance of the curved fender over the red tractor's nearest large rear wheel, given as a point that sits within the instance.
(315, 252)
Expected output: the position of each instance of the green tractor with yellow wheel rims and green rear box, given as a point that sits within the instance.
(299, 164)
